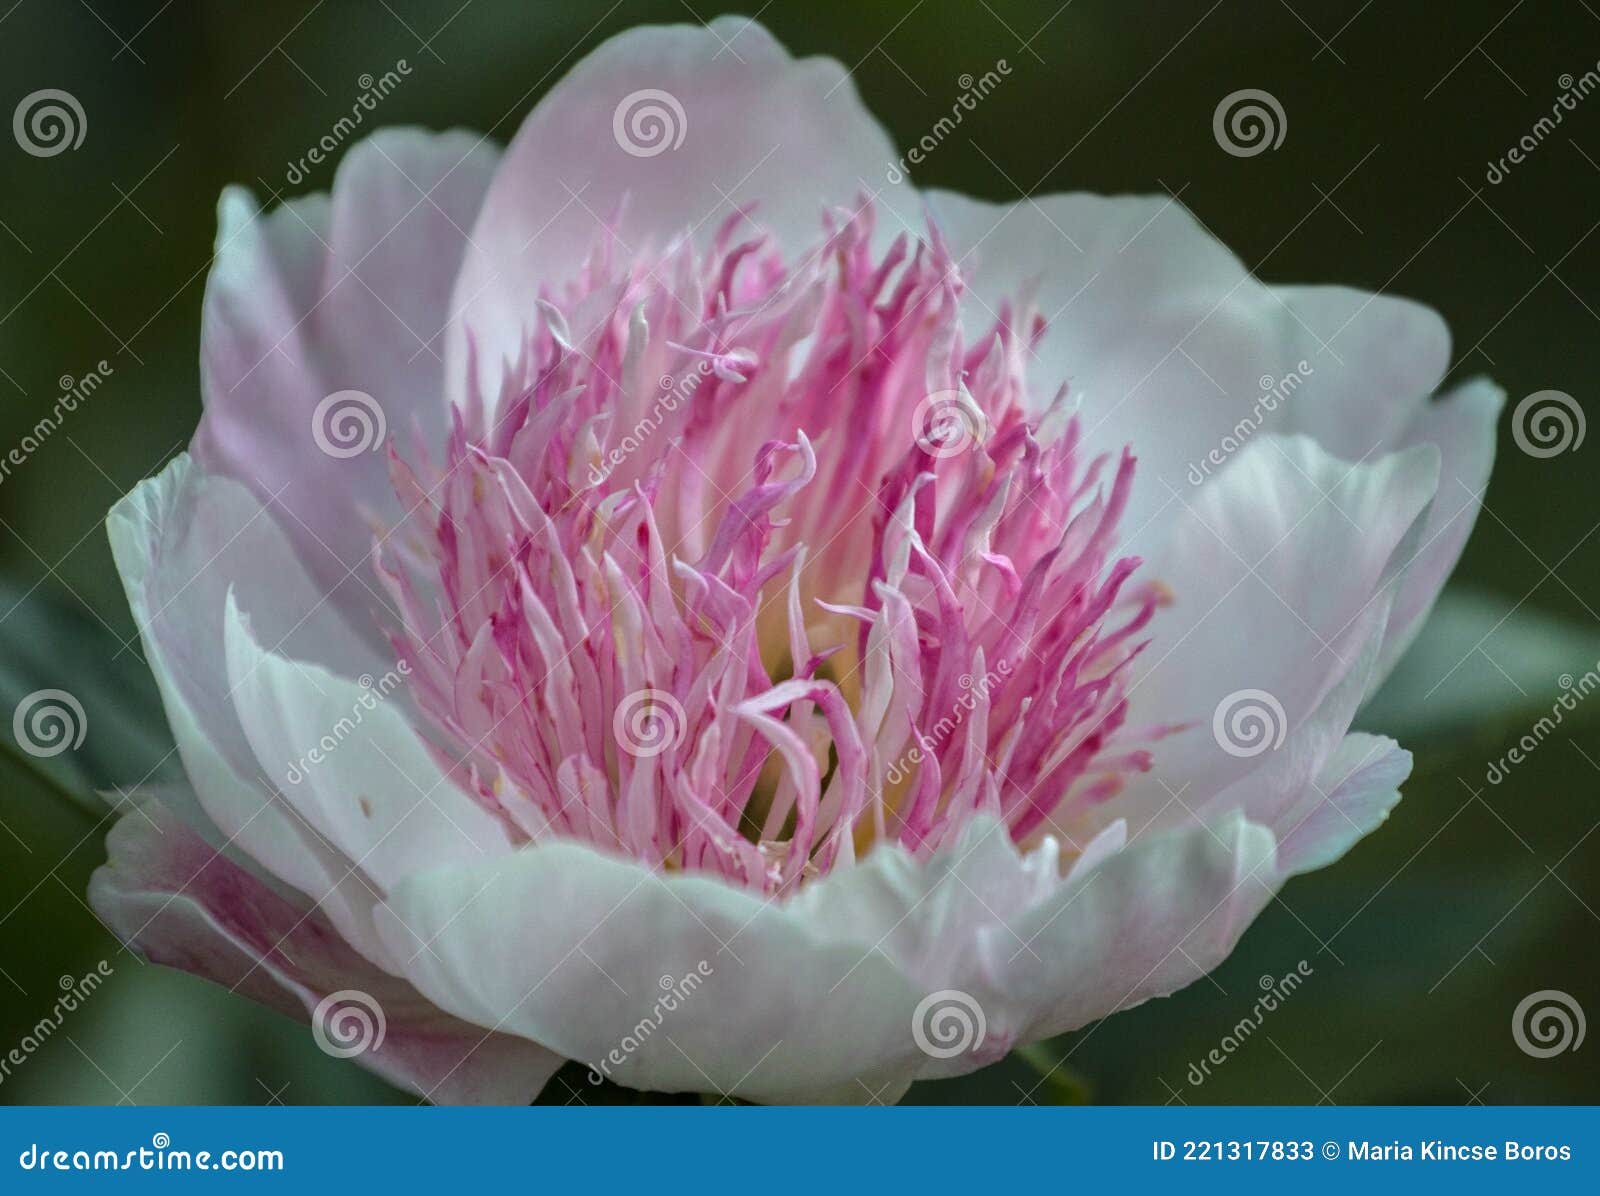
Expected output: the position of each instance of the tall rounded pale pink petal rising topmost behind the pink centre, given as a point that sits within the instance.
(790, 135)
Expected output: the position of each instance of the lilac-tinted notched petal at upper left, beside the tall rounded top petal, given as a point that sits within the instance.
(326, 295)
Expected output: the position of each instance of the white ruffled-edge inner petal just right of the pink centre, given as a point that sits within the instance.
(1284, 572)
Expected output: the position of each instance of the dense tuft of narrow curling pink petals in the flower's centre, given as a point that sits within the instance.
(754, 564)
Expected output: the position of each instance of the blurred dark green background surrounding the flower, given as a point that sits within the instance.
(1422, 943)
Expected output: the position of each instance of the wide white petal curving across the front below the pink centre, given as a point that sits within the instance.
(831, 995)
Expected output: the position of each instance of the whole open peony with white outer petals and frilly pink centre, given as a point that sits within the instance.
(671, 597)
